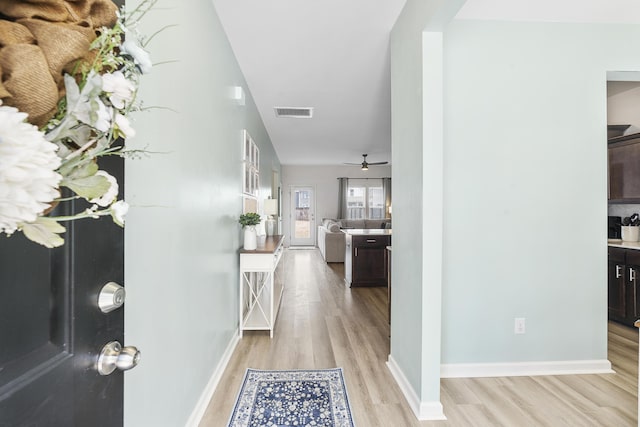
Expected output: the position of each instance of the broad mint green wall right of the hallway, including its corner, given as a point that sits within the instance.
(523, 201)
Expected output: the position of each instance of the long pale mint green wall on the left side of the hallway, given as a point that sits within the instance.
(182, 236)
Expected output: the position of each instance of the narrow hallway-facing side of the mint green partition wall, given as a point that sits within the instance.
(406, 152)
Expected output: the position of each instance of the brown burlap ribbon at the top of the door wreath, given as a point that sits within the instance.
(40, 41)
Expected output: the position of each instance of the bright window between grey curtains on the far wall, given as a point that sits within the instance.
(365, 199)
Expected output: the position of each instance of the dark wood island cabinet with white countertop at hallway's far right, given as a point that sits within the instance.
(365, 257)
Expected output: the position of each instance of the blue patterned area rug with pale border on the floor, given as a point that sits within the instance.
(292, 398)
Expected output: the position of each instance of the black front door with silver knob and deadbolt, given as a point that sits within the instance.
(52, 330)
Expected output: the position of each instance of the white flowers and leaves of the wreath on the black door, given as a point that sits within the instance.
(34, 165)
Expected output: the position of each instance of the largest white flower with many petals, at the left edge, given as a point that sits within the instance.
(28, 177)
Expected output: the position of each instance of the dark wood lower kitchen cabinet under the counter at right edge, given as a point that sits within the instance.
(623, 292)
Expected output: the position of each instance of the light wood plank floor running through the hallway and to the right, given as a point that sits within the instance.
(323, 324)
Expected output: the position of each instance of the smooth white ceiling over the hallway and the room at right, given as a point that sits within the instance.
(333, 55)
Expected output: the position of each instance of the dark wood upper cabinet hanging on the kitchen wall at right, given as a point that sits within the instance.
(624, 169)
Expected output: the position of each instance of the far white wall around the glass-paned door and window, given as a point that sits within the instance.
(324, 179)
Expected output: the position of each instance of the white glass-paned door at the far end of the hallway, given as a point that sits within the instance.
(302, 214)
